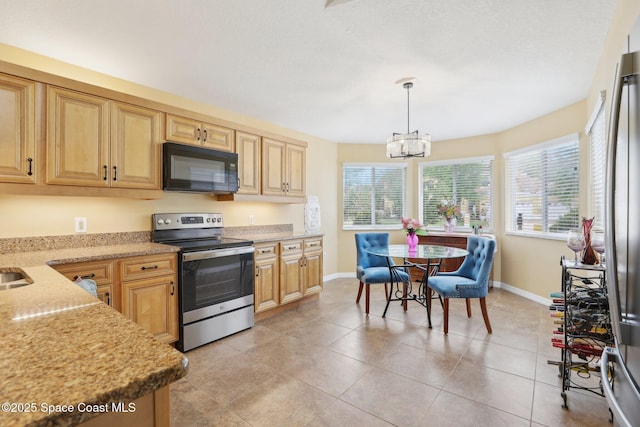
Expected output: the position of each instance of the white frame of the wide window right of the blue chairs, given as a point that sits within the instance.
(509, 208)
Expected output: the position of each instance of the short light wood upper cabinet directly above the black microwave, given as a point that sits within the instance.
(195, 132)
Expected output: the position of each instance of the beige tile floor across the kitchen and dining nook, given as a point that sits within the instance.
(328, 364)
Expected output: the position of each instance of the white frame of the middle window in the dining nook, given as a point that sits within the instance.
(452, 162)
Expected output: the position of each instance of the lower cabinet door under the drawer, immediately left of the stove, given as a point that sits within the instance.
(152, 303)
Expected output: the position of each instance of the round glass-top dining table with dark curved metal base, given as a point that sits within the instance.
(426, 258)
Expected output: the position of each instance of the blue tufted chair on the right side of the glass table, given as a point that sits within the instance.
(471, 280)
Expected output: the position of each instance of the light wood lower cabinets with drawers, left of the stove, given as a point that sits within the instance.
(142, 288)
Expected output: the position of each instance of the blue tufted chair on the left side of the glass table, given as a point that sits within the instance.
(373, 268)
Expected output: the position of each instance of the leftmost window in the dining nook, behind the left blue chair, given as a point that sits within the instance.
(373, 195)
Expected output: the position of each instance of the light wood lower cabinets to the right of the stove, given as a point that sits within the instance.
(287, 271)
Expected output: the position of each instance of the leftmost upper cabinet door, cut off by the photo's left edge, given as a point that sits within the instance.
(17, 130)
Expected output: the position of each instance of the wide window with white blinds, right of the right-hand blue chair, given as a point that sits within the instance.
(542, 186)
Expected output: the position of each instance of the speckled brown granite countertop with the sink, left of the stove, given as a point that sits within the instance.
(61, 346)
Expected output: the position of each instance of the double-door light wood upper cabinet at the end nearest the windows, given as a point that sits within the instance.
(283, 168)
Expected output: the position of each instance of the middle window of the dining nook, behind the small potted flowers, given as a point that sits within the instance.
(465, 182)
